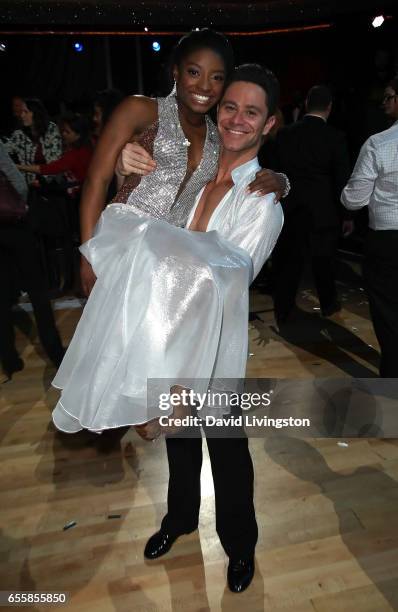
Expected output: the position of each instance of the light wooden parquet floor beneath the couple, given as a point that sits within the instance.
(327, 514)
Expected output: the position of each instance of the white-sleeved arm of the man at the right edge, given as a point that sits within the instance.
(360, 186)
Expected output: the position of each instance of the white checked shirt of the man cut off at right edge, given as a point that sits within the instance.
(374, 181)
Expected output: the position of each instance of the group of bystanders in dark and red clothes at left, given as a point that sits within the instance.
(43, 165)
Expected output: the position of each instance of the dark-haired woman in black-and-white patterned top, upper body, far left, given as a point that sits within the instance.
(38, 141)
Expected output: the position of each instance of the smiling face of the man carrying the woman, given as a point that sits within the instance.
(243, 117)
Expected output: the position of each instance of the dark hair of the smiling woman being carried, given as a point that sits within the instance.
(204, 39)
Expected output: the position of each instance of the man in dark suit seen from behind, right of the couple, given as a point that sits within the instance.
(314, 156)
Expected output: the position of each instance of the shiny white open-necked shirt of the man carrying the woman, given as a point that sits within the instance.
(250, 222)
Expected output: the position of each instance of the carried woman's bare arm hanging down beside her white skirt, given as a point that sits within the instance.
(131, 117)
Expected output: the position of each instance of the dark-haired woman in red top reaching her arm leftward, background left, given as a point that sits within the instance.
(74, 162)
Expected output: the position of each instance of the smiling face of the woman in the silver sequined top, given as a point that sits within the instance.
(200, 80)
